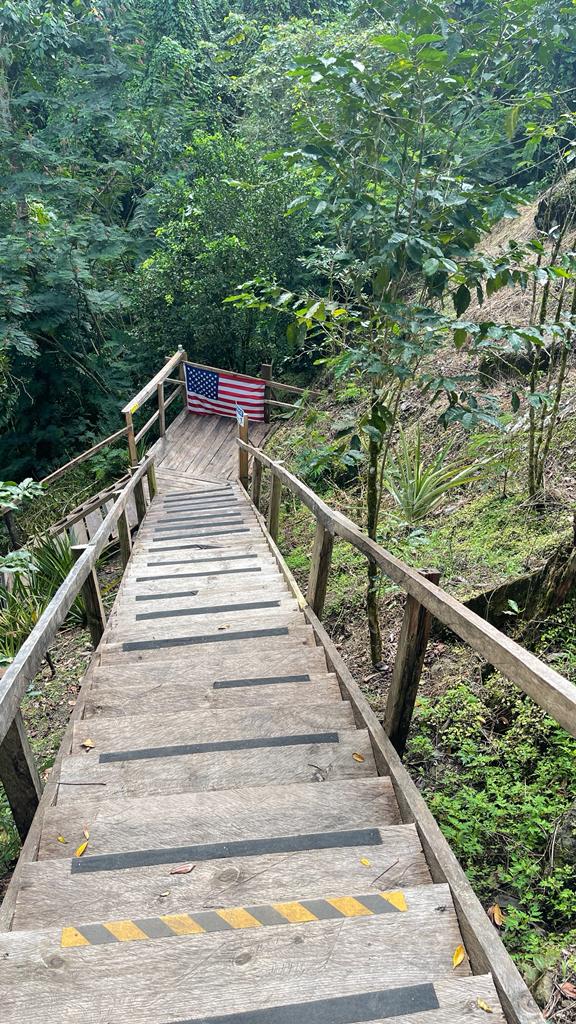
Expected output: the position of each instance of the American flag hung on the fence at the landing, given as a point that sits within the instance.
(213, 394)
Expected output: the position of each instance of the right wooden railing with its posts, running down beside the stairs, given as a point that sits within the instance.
(425, 600)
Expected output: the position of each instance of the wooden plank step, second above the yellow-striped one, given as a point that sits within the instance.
(271, 819)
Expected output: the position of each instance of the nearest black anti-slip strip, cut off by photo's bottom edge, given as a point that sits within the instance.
(338, 1010)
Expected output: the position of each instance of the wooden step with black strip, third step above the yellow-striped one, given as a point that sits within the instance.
(320, 756)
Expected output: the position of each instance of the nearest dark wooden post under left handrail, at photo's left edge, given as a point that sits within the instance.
(19, 776)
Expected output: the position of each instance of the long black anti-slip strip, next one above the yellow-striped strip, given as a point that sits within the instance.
(220, 851)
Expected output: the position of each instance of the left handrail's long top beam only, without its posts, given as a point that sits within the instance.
(29, 658)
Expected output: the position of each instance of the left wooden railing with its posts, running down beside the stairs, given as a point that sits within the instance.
(18, 771)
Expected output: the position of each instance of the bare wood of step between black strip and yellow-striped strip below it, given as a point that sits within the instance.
(51, 894)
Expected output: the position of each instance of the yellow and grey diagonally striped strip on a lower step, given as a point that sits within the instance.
(234, 919)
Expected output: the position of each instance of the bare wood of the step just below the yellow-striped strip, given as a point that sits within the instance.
(217, 974)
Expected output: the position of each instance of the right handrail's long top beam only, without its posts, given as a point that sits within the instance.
(548, 689)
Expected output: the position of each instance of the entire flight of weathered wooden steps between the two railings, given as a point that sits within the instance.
(245, 864)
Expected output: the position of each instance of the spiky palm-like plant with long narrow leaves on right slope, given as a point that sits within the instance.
(418, 489)
